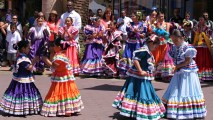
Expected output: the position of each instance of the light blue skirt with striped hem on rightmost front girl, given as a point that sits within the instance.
(184, 98)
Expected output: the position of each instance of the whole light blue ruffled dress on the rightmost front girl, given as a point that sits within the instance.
(184, 98)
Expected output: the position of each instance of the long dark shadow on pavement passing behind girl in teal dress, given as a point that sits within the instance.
(107, 87)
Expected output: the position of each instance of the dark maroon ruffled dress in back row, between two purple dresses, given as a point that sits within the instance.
(110, 55)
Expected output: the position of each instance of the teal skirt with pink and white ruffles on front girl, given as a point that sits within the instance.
(143, 104)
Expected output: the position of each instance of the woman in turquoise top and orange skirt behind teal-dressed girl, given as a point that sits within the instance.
(164, 62)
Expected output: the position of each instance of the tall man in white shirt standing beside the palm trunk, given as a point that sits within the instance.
(74, 15)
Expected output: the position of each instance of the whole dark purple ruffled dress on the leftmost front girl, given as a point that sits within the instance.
(22, 97)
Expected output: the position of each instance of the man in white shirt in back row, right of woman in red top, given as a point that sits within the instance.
(122, 23)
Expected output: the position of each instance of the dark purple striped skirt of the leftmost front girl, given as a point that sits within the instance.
(21, 99)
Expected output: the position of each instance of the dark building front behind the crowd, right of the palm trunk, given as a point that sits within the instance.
(195, 7)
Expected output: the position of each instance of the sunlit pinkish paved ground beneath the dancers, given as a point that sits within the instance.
(97, 95)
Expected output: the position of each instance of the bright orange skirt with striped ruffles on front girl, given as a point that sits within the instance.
(63, 98)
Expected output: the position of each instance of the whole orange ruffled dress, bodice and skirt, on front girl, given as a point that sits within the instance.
(63, 96)
